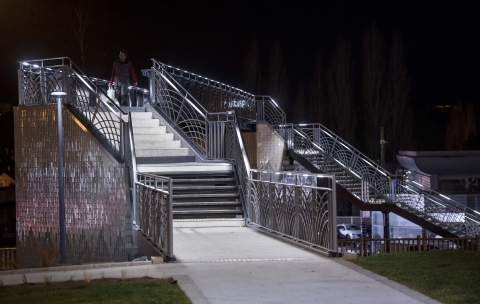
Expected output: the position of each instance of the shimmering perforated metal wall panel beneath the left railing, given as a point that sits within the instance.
(96, 191)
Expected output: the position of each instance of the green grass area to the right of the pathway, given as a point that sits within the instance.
(449, 276)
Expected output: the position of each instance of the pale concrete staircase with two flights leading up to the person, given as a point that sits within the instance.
(204, 194)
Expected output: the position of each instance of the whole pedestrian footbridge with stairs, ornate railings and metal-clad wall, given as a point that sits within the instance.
(189, 152)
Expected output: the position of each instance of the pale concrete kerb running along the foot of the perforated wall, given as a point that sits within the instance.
(75, 267)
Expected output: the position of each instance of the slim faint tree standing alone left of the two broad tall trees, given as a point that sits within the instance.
(316, 98)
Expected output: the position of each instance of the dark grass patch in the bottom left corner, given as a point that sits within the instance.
(121, 292)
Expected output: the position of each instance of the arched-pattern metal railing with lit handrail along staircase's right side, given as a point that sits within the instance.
(211, 133)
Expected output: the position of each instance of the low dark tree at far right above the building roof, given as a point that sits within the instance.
(462, 123)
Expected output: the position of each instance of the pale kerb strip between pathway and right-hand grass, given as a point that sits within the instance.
(385, 281)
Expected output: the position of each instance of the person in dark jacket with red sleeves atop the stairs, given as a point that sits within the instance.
(122, 73)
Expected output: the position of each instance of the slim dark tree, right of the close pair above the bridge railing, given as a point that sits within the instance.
(277, 83)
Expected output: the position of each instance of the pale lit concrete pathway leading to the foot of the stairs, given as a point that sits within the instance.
(240, 265)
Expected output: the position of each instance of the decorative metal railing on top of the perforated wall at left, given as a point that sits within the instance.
(39, 78)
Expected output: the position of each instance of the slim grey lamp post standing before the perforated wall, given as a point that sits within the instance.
(59, 96)
